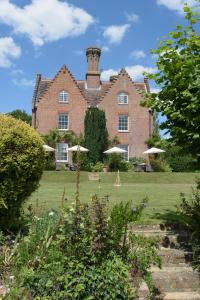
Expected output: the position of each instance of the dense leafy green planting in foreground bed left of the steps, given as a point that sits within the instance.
(84, 253)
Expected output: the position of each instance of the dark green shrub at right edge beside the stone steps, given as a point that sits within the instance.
(190, 212)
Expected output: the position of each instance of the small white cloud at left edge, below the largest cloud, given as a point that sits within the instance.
(8, 51)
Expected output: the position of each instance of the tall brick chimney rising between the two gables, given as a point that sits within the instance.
(93, 74)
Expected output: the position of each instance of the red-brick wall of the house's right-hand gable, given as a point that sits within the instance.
(139, 117)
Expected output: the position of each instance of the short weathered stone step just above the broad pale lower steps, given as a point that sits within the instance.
(174, 256)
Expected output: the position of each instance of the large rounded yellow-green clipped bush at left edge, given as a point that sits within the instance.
(21, 166)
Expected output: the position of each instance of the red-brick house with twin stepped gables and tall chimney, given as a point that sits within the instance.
(61, 103)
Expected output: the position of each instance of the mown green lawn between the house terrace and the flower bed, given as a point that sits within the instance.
(162, 189)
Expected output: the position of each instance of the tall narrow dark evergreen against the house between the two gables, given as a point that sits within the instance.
(96, 134)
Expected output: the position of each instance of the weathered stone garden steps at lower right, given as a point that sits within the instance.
(176, 280)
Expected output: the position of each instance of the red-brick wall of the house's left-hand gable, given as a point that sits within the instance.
(49, 106)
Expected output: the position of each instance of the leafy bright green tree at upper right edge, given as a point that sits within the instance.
(178, 76)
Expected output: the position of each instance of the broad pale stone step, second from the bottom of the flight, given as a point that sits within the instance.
(175, 279)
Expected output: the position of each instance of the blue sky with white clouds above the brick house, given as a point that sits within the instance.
(39, 36)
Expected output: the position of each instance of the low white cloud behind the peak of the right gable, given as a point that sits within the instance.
(135, 72)
